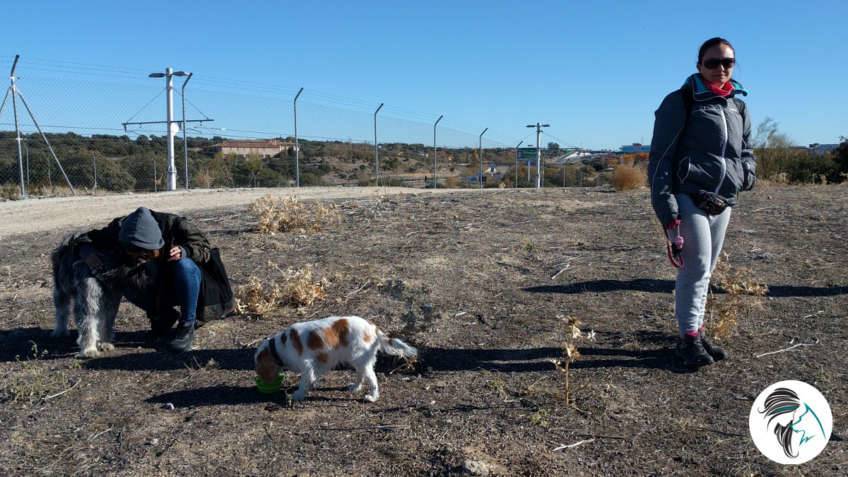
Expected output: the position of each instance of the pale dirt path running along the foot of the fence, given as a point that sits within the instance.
(38, 215)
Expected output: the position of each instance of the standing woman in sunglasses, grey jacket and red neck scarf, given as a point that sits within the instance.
(700, 160)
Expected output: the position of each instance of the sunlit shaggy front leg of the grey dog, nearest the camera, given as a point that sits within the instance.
(87, 305)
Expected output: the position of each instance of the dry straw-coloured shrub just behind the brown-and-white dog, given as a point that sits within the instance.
(294, 287)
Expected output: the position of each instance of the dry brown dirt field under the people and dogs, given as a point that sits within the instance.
(480, 283)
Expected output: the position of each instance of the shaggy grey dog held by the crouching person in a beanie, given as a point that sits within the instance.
(95, 299)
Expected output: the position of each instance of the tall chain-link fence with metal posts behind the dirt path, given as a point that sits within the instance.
(240, 134)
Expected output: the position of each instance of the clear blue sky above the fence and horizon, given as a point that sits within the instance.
(595, 71)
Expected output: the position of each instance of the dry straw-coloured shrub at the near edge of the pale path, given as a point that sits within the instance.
(290, 215)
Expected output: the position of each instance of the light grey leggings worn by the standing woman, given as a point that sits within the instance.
(703, 237)
